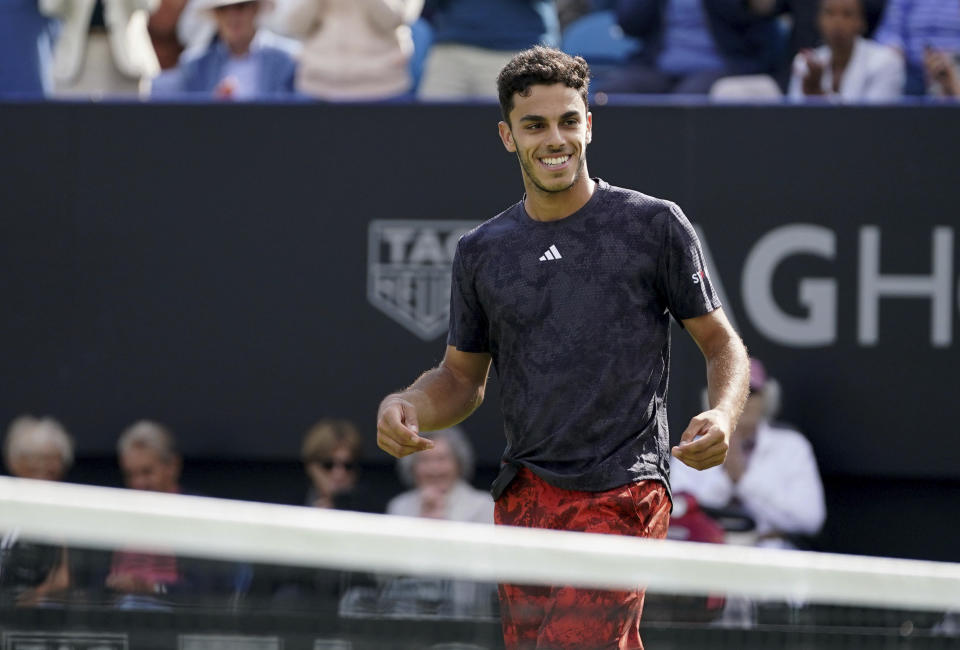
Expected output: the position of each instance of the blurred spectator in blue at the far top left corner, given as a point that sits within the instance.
(26, 48)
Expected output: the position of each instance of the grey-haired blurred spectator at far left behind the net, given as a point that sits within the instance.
(32, 573)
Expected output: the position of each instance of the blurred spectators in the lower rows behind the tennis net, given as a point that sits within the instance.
(770, 480)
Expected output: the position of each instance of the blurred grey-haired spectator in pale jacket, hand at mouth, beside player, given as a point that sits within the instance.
(439, 479)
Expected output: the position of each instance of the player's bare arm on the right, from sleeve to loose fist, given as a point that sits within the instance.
(705, 441)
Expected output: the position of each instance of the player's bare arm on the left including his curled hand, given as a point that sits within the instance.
(440, 398)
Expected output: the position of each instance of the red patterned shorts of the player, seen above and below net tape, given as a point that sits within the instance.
(558, 617)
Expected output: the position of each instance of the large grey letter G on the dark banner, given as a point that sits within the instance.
(819, 296)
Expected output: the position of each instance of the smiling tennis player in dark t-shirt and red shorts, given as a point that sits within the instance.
(569, 295)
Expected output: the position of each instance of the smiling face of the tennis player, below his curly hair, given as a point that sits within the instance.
(549, 131)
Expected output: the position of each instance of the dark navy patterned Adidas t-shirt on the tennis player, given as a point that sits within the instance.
(576, 316)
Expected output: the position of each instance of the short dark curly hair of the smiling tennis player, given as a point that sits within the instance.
(541, 65)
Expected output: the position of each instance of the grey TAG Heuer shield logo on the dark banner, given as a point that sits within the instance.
(408, 271)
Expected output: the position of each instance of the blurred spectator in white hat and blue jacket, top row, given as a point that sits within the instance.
(241, 63)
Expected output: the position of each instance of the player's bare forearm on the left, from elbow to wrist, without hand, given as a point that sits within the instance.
(442, 397)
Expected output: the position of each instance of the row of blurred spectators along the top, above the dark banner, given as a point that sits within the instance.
(389, 50)
